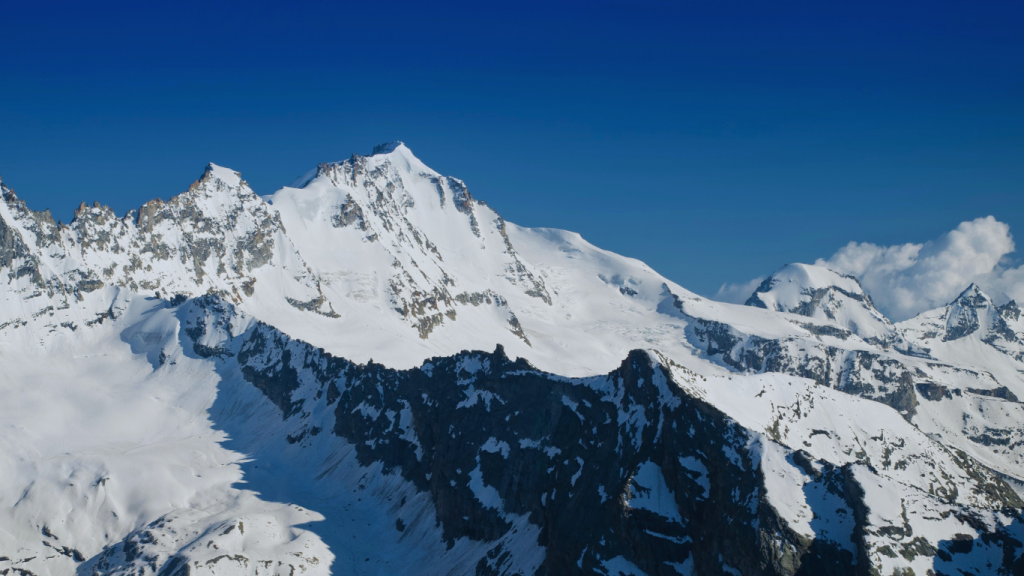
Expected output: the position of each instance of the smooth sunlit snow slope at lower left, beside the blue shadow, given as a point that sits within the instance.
(99, 444)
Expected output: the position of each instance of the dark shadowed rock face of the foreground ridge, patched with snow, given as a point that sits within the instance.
(527, 439)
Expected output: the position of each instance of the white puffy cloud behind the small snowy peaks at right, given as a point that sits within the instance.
(908, 279)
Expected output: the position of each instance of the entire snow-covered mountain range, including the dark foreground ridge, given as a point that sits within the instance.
(228, 384)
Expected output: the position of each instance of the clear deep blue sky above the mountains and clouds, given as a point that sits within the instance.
(714, 140)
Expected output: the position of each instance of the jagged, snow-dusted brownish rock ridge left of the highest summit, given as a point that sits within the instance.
(216, 238)
